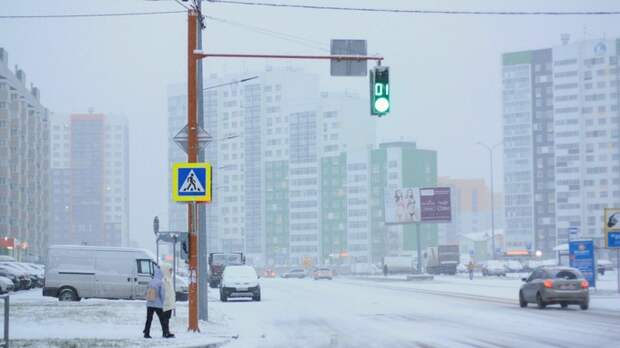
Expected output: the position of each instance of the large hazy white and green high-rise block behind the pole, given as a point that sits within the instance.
(269, 136)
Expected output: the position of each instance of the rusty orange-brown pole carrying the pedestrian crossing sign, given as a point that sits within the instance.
(192, 156)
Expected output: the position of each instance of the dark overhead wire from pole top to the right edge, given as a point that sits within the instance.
(414, 11)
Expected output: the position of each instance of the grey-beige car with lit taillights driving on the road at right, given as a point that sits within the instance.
(555, 285)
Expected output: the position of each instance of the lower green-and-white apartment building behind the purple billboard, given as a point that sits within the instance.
(353, 190)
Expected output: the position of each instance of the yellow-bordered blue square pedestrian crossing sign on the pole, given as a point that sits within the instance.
(191, 182)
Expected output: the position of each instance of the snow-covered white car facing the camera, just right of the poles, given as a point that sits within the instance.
(239, 281)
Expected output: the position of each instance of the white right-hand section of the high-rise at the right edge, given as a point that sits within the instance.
(587, 134)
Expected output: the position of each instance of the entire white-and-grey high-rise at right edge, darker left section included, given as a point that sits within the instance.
(561, 131)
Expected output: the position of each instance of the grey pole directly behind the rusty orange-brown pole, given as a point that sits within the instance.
(203, 288)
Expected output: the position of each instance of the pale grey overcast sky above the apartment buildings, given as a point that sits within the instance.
(445, 70)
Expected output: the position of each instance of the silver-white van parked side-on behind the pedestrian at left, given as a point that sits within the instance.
(73, 272)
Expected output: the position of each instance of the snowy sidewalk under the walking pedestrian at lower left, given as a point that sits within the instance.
(37, 321)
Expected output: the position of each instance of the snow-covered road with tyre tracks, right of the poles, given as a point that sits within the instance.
(355, 313)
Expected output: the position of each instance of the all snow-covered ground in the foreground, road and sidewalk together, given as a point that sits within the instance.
(449, 311)
